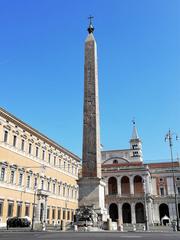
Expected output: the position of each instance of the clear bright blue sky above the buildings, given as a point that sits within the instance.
(42, 61)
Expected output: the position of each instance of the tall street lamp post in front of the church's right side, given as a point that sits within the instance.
(169, 138)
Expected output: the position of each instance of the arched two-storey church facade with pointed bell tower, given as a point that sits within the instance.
(136, 192)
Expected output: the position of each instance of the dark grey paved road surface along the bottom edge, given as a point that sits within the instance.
(88, 235)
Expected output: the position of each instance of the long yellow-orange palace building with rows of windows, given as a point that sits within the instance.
(38, 177)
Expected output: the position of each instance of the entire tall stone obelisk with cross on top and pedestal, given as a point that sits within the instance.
(91, 186)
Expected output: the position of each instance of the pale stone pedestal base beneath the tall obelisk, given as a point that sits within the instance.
(91, 213)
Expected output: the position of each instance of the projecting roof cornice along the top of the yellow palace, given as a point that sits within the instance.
(37, 133)
